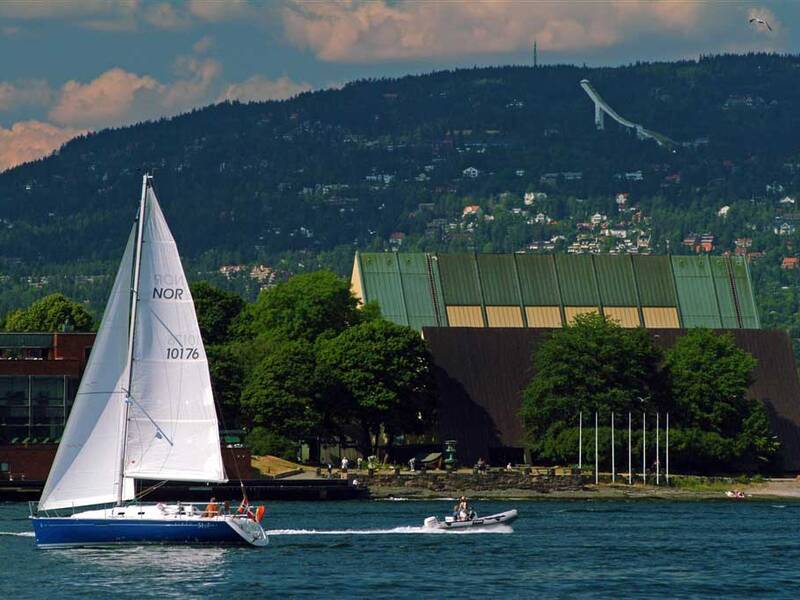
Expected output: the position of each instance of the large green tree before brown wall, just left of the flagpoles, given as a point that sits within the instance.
(591, 365)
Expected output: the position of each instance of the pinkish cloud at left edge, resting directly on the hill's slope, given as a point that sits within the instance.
(29, 140)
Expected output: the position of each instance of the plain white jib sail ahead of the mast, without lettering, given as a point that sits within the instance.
(86, 468)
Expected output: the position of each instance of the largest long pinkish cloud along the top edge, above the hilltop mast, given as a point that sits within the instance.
(358, 31)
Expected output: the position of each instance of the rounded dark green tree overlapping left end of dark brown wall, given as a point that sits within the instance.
(380, 379)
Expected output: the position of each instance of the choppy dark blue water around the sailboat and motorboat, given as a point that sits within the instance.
(377, 550)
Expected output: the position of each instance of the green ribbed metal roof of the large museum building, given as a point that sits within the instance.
(415, 289)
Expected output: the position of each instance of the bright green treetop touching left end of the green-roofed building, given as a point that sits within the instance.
(304, 307)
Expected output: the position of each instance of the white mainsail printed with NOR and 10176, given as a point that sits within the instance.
(172, 422)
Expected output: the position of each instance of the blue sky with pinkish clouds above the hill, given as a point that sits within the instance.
(71, 66)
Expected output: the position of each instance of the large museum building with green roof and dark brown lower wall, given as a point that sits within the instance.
(483, 315)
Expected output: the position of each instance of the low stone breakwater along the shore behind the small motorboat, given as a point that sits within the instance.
(438, 483)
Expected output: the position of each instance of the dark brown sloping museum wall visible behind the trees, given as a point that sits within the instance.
(481, 374)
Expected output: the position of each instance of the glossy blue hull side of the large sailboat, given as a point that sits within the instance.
(60, 532)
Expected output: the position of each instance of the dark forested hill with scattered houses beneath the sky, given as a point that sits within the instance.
(336, 169)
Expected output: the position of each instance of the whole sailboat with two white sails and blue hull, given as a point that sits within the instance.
(144, 410)
